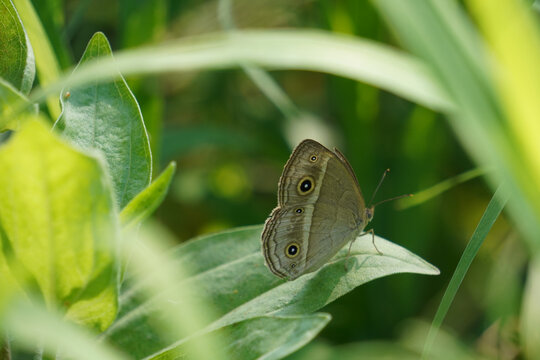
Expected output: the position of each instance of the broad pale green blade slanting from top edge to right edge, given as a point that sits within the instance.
(441, 33)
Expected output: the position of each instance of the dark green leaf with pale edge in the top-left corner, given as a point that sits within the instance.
(17, 60)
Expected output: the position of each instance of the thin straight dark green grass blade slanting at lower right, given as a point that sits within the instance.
(493, 210)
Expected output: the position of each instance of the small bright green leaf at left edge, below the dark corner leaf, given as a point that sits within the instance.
(10, 101)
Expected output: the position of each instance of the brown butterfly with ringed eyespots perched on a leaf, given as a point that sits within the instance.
(320, 209)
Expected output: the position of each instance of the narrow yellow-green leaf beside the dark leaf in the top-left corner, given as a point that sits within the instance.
(46, 64)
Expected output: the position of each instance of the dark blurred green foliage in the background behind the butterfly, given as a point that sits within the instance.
(230, 142)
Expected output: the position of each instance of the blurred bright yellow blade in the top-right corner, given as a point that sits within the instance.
(512, 34)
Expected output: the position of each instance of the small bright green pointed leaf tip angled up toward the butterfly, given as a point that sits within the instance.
(144, 204)
